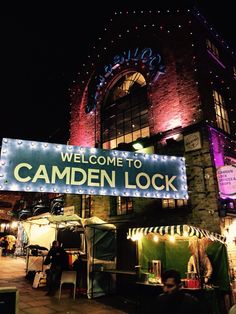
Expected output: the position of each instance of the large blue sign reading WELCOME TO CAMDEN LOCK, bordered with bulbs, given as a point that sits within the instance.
(55, 168)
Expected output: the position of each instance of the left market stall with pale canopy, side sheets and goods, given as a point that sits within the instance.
(91, 238)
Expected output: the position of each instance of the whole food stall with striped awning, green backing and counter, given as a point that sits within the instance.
(169, 247)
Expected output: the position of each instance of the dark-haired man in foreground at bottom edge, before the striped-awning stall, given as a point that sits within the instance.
(174, 300)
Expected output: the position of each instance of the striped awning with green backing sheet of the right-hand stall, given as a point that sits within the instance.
(177, 254)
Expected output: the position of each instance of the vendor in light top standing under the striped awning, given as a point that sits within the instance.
(199, 262)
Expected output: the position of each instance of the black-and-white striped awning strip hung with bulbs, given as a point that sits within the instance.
(181, 230)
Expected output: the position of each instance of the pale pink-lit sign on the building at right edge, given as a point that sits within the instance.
(226, 176)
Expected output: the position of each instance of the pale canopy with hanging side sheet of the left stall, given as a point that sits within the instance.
(99, 235)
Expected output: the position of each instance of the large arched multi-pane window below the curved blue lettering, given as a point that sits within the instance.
(124, 115)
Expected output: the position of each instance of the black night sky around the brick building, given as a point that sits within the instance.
(40, 55)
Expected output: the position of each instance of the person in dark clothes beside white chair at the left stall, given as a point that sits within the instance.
(58, 258)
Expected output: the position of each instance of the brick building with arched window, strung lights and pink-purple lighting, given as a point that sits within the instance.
(164, 80)
